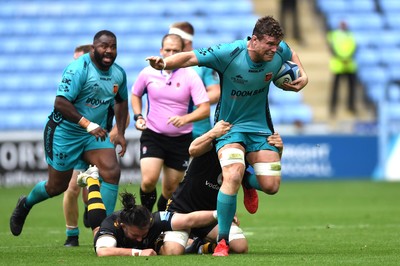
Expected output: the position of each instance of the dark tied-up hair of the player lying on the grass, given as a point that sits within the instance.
(133, 214)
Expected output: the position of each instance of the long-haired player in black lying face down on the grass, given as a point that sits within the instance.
(132, 231)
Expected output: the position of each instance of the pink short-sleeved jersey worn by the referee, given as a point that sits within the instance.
(169, 95)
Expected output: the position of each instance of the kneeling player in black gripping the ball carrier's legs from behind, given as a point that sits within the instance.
(199, 191)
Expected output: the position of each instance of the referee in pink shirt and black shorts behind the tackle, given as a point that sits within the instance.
(167, 126)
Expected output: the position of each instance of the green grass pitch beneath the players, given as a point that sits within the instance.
(306, 223)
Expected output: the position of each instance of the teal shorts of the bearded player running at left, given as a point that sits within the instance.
(64, 148)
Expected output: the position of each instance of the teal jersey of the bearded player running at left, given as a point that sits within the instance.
(91, 90)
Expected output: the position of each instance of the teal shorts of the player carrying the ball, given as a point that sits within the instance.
(250, 141)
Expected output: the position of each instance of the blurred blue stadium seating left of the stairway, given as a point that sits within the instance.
(38, 38)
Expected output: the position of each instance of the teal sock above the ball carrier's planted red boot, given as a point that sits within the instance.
(226, 209)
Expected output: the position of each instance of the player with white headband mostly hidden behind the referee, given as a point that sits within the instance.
(208, 76)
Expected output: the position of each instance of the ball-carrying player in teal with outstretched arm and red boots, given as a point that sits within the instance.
(246, 68)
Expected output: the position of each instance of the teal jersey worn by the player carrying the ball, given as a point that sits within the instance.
(244, 84)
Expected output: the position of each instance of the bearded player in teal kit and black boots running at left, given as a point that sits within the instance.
(76, 129)
